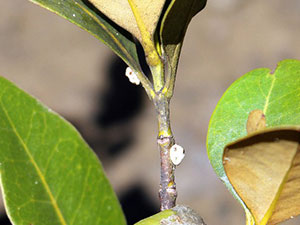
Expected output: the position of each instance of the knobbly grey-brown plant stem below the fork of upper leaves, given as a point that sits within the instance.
(165, 140)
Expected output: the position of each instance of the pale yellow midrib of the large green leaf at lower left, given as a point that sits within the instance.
(39, 172)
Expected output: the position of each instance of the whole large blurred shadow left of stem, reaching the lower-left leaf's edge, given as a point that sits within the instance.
(113, 126)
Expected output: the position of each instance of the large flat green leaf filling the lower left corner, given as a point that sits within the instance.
(49, 175)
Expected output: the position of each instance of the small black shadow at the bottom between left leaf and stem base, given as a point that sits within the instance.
(137, 205)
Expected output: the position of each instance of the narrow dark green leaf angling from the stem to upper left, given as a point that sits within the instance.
(81, 14)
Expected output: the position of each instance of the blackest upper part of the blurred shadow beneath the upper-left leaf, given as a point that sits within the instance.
(122, 101)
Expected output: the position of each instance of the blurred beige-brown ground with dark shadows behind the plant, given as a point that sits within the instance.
(80, 78)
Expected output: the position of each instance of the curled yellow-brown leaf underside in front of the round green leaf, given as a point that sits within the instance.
(264, 169)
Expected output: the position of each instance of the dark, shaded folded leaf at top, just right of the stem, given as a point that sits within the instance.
(174, 25)
